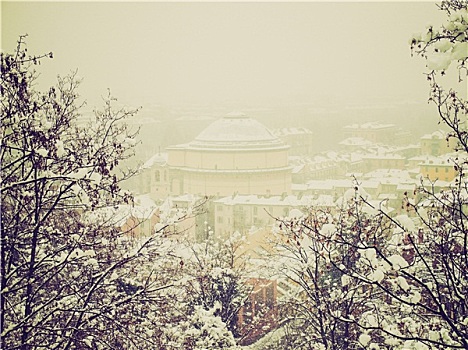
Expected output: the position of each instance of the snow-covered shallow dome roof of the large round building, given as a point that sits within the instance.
(236, 130)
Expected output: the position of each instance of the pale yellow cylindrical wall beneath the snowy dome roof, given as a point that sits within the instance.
(217, 172)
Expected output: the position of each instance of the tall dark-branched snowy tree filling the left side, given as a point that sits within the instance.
(69, 277)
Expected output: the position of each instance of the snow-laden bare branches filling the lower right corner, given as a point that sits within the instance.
(361, 280)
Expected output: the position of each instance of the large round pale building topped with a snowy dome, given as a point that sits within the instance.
(233, 154)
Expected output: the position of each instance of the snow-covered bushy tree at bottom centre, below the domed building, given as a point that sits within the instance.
(213, 287)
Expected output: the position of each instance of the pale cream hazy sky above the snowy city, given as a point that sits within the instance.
(215, 52)
